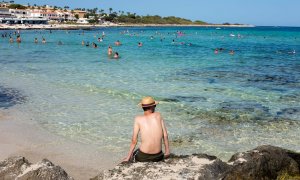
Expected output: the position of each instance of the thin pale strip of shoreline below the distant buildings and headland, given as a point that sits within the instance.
(87, 27)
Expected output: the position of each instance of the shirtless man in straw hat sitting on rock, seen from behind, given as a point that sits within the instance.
(153, 131)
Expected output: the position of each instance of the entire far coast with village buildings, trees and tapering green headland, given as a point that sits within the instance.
(13, 15)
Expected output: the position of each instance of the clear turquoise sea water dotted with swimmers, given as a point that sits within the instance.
(212, 103)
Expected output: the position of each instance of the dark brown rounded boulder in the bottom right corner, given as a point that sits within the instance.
(264, 162)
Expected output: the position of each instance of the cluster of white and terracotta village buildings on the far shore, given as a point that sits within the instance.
(11, 13)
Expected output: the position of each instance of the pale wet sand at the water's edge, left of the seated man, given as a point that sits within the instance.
(23, 137)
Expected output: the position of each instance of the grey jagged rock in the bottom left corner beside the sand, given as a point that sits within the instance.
(19, 168)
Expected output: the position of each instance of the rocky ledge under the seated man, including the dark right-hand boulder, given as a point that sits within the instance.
(264, 162)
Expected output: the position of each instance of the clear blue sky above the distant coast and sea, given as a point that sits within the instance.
(256, 12)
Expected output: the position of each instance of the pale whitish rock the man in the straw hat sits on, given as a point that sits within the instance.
(176, 167)
